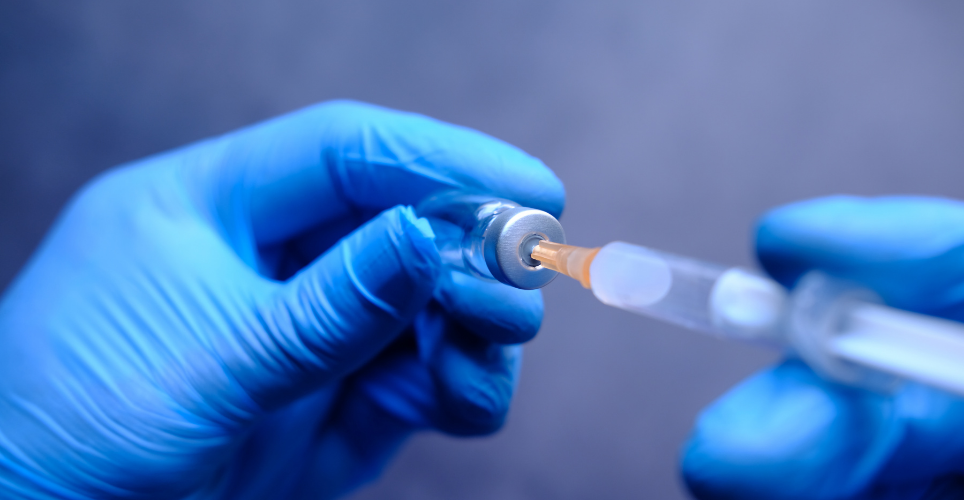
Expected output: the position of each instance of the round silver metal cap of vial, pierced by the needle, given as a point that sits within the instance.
(508, 242)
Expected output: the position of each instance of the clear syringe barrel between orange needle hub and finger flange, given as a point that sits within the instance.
(727, 302)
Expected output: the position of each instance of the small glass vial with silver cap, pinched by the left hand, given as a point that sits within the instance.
(491, 238)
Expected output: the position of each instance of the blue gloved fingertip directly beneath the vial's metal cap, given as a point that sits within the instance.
(491, 310)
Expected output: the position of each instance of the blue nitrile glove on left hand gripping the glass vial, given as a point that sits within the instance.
(260, 315)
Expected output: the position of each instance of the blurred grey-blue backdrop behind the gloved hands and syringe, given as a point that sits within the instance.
(673, 124)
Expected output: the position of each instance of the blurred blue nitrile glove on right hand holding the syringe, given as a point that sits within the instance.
(788, 434)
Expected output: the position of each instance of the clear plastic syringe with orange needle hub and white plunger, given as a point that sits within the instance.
(840, 329)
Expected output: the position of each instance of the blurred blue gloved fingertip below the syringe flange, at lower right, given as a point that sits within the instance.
(787, 434)
